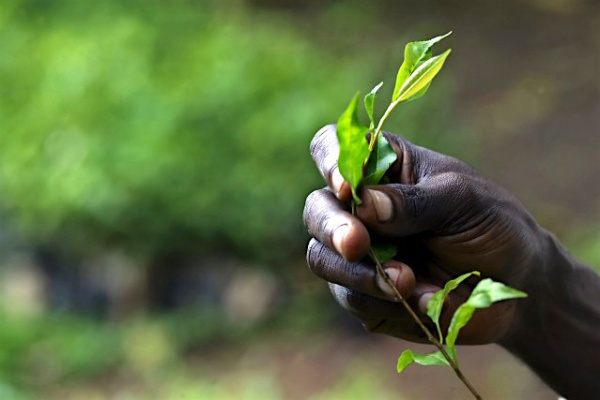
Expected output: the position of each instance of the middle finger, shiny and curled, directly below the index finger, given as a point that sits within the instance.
(329, 223)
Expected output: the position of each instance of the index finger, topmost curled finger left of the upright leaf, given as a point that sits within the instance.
(324, 149)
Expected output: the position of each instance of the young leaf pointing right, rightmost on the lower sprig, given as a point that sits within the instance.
(484, 295)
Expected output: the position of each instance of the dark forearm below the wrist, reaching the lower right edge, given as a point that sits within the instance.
(558, 331)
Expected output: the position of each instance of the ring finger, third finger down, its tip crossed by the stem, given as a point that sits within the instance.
(359, 276)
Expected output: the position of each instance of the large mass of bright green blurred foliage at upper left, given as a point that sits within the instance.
(155, 131)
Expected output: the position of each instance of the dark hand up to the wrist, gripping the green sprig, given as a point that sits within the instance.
(446, 220)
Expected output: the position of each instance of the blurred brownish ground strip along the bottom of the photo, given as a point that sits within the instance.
(323, 364)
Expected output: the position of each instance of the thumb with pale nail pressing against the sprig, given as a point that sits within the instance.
(397, 210)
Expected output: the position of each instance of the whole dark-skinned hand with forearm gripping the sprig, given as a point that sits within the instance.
(446, 219)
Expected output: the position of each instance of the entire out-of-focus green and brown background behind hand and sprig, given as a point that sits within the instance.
(154, 165)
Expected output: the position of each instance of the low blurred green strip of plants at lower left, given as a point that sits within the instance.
(51, 350)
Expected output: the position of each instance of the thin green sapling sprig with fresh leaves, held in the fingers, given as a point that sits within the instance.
(365, 161)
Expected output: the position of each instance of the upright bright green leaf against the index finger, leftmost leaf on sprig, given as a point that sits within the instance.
(354, 149)
